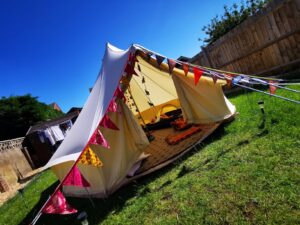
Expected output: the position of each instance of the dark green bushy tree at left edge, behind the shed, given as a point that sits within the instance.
(18, 113)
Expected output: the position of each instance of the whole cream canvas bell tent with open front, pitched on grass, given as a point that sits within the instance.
(127, 127)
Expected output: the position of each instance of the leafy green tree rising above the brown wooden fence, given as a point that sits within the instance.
(232, 17)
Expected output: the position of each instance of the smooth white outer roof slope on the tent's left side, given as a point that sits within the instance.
(113, 65)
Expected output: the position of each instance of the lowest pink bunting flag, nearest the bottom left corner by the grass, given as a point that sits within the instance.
(58, 205)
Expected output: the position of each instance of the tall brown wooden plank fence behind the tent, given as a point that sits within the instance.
(266, 43)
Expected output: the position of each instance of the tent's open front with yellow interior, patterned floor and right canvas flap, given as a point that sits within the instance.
(154, 97)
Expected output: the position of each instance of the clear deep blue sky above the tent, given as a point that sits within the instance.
(53, 49)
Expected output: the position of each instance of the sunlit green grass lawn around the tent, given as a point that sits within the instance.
(247, 172)
